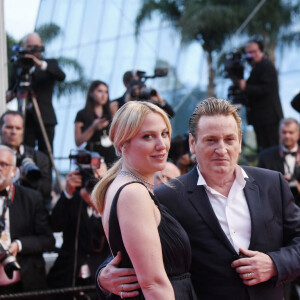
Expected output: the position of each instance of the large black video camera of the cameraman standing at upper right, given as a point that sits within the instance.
(234, 69)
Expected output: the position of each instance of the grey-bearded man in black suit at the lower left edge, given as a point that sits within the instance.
(26, 232)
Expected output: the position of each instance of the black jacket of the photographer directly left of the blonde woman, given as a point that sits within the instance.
(92, 245)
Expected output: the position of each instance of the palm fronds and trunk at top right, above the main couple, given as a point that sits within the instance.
(213, 22)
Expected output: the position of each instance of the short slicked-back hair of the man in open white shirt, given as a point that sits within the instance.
(213, 107)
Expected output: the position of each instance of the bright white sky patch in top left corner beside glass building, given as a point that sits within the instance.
(19, 16)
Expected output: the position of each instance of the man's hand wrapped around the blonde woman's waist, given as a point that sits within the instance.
(118, 281)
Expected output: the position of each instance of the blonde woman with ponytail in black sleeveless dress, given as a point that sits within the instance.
(148, 237)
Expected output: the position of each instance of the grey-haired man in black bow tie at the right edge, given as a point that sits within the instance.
(285, 157)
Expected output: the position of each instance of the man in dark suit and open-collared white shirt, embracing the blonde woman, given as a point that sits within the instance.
(243, 224)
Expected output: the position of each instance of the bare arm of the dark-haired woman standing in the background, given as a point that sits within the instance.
(84, 136)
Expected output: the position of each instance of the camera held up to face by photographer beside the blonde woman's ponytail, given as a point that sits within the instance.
(86, 163)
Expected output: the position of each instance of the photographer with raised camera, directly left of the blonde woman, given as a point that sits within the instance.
(84, 243)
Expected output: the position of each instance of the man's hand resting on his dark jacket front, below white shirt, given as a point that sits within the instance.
(255, 268)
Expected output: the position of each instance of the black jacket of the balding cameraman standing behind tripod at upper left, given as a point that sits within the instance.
(42, 84)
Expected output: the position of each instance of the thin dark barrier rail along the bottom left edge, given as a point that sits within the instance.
(73, 290)
